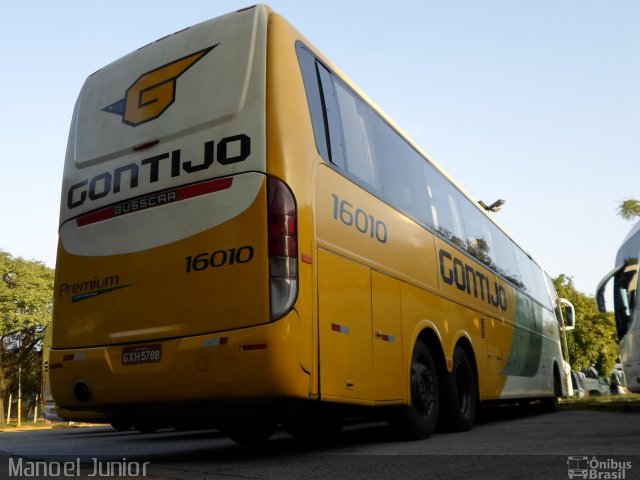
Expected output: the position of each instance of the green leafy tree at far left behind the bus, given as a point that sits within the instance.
(26, 303)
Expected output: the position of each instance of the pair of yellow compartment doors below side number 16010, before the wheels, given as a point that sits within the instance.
(360, 327)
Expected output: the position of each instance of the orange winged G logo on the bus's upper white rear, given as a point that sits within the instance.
(154, 91)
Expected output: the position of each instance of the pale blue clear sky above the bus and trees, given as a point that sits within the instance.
(533, 101)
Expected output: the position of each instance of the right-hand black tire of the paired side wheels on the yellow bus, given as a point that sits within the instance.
(460, 394)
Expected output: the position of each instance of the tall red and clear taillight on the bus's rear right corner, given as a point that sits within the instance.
(283, 247)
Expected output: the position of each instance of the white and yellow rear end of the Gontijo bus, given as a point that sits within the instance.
(177, 252)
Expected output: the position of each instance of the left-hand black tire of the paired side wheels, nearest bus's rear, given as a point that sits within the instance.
(418, 420)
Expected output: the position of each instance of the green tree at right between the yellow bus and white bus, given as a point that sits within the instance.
(593, 342)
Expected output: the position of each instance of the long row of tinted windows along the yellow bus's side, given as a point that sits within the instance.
(358, 140)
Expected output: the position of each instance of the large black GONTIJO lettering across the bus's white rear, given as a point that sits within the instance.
(229, 150)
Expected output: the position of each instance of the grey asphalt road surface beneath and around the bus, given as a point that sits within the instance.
(504, 445)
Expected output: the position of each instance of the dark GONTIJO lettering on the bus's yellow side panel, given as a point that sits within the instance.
(466, 278)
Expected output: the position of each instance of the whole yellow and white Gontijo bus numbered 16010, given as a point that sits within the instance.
(246, 240)
